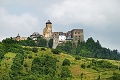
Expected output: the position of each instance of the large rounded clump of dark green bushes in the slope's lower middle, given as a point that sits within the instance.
(44, 65)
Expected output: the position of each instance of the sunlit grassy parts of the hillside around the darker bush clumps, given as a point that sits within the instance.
(76, 71)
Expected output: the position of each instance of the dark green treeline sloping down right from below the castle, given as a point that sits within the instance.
(90, 48)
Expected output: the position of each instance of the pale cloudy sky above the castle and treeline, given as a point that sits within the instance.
(100, 19)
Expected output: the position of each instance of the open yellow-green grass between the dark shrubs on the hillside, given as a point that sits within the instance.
(75, 68)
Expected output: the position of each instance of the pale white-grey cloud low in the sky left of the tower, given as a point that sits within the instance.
(11, 25)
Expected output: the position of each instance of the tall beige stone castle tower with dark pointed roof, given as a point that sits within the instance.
(47, 32)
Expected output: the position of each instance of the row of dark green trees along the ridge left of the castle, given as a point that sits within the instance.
(40, 42)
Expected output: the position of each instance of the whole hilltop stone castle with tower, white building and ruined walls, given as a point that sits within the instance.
(58, 37)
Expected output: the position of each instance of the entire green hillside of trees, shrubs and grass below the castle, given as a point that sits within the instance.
(30, 62)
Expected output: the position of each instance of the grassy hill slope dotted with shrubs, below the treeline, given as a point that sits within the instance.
(84, 69)
